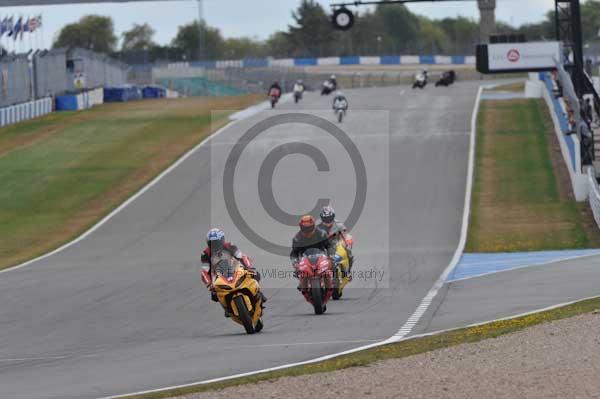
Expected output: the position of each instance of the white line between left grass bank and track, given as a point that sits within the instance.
(135, 196)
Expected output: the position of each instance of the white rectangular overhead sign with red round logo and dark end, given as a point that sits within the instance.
(518, 57)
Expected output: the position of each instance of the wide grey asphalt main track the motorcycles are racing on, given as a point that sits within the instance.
(124, 310)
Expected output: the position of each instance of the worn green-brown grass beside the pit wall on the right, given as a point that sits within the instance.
(522, 198)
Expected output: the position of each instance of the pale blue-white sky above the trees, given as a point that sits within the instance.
(254, 18)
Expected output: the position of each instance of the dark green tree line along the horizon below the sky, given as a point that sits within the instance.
(385, 29)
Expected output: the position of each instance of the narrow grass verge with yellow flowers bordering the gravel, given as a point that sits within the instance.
(396, 351)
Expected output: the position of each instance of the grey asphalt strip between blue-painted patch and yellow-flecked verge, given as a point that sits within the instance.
(513, 292)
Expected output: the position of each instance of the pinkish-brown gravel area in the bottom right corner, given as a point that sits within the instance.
(559, 359)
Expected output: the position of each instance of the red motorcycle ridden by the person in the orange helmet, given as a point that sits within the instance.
(315, 273)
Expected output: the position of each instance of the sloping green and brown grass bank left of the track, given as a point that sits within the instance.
(61, 173)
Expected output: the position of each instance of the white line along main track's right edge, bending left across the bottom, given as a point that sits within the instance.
(401, 334)
